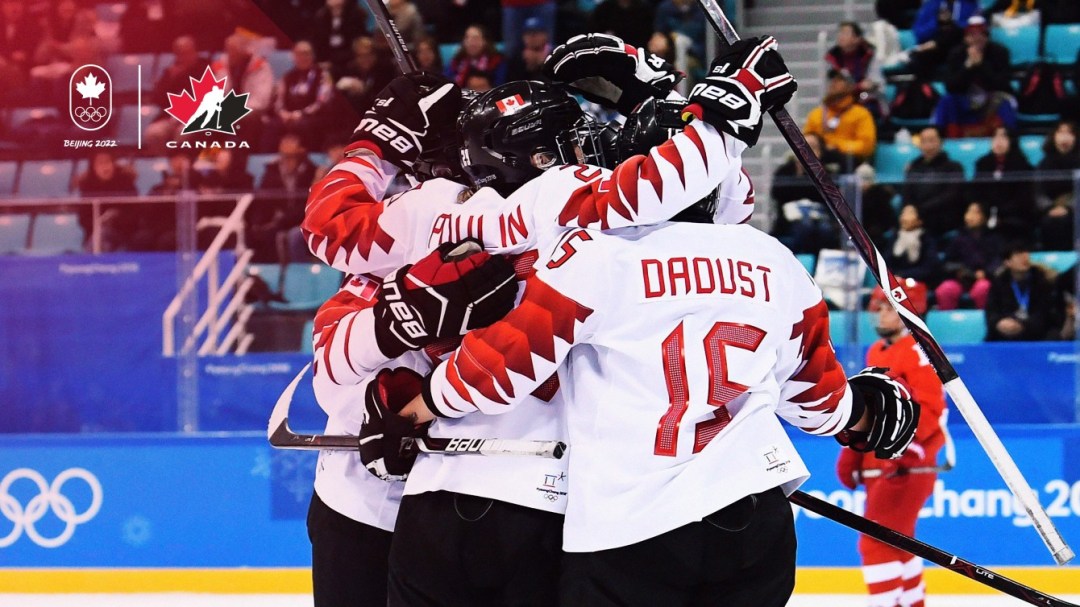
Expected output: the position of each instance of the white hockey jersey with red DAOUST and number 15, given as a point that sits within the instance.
(682, 344)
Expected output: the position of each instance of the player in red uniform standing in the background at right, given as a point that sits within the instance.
(894, 496)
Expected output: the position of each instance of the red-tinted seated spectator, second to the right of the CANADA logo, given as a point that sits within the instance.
(303, 99)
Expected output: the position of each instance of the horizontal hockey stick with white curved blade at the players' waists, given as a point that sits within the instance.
(283, 438)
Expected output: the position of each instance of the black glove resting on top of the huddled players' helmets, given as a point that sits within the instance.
(611, 73)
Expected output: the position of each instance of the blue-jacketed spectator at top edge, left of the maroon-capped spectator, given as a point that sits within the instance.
(939, 29)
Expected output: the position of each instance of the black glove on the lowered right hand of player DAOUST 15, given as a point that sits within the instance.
(894, 415)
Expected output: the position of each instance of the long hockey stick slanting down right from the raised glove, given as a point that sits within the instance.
(895, 292)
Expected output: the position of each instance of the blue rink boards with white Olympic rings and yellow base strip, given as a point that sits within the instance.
(225, 514)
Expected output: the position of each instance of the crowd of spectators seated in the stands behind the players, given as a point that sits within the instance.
(925, 75)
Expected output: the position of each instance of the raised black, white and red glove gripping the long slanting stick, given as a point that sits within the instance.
(745, 82)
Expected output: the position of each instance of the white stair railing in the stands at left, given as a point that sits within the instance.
(206, 338)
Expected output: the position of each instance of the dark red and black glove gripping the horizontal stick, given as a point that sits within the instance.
(383, 429)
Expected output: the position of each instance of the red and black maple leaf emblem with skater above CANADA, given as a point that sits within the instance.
(208, 106)
